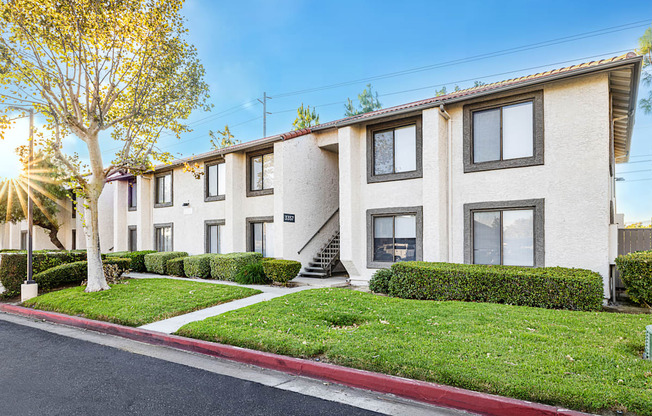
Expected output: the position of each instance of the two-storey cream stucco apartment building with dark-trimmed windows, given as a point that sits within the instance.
(518, 172)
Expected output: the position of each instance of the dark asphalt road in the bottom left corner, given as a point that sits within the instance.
(42, 373)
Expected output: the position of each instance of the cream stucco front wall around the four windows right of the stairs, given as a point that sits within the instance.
(574, 181)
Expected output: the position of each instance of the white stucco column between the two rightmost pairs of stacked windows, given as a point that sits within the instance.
(435, 186)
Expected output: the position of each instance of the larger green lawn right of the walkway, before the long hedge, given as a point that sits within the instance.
(587, 361)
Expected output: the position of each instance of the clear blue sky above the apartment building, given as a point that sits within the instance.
(248, 47)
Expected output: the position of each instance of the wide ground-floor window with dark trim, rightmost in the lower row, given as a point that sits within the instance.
(506, 233)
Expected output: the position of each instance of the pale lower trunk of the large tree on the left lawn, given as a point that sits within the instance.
(96, 278)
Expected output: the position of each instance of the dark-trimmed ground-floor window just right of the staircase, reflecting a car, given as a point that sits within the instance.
(394, 234)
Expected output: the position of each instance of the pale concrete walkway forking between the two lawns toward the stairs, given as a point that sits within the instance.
(171, 325)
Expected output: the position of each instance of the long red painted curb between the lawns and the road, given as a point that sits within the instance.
(481, 403)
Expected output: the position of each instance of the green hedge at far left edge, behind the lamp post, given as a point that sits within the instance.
(13, 266)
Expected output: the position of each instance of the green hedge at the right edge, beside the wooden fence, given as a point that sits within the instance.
(636, 272)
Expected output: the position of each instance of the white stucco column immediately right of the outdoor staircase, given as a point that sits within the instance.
(351, 238)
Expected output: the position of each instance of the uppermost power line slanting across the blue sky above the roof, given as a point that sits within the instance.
(551, 42)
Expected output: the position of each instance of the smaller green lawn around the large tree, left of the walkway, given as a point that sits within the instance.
(140, 301)
